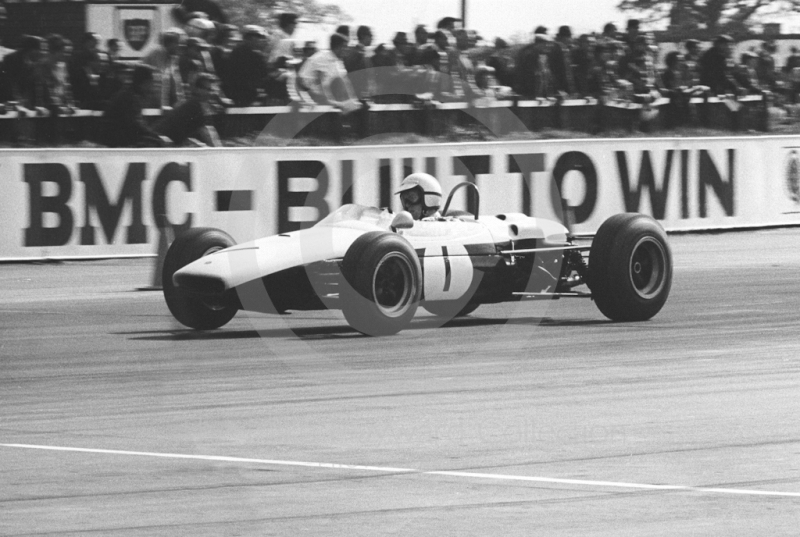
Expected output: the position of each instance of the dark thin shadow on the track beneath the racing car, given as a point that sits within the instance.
(345, 331)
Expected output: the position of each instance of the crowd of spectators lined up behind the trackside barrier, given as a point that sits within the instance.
(212, 65)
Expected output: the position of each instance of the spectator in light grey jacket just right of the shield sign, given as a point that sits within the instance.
(168, 84)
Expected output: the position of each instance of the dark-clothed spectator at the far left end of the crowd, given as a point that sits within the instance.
(21, 72)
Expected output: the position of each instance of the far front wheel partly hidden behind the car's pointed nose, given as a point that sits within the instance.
(200, 313)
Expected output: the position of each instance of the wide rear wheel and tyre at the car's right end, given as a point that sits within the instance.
(630, 267)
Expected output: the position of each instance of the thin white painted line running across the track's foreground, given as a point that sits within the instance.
(388, 469)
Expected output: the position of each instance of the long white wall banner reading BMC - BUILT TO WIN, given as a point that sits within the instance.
(98, 202)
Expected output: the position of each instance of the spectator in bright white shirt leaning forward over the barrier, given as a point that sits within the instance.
(324, 76)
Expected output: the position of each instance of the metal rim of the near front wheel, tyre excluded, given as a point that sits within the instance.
(393, 285)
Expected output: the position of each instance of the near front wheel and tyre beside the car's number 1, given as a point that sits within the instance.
(382, 285)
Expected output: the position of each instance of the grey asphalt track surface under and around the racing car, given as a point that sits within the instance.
(541, 419)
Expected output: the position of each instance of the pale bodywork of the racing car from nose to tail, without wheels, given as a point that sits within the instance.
(452, 251)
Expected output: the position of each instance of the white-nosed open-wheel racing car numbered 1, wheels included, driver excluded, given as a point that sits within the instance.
(379, 267)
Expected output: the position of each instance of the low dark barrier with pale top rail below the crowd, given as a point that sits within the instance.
(40, 127)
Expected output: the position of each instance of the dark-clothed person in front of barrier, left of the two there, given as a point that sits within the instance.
(123, 120)
